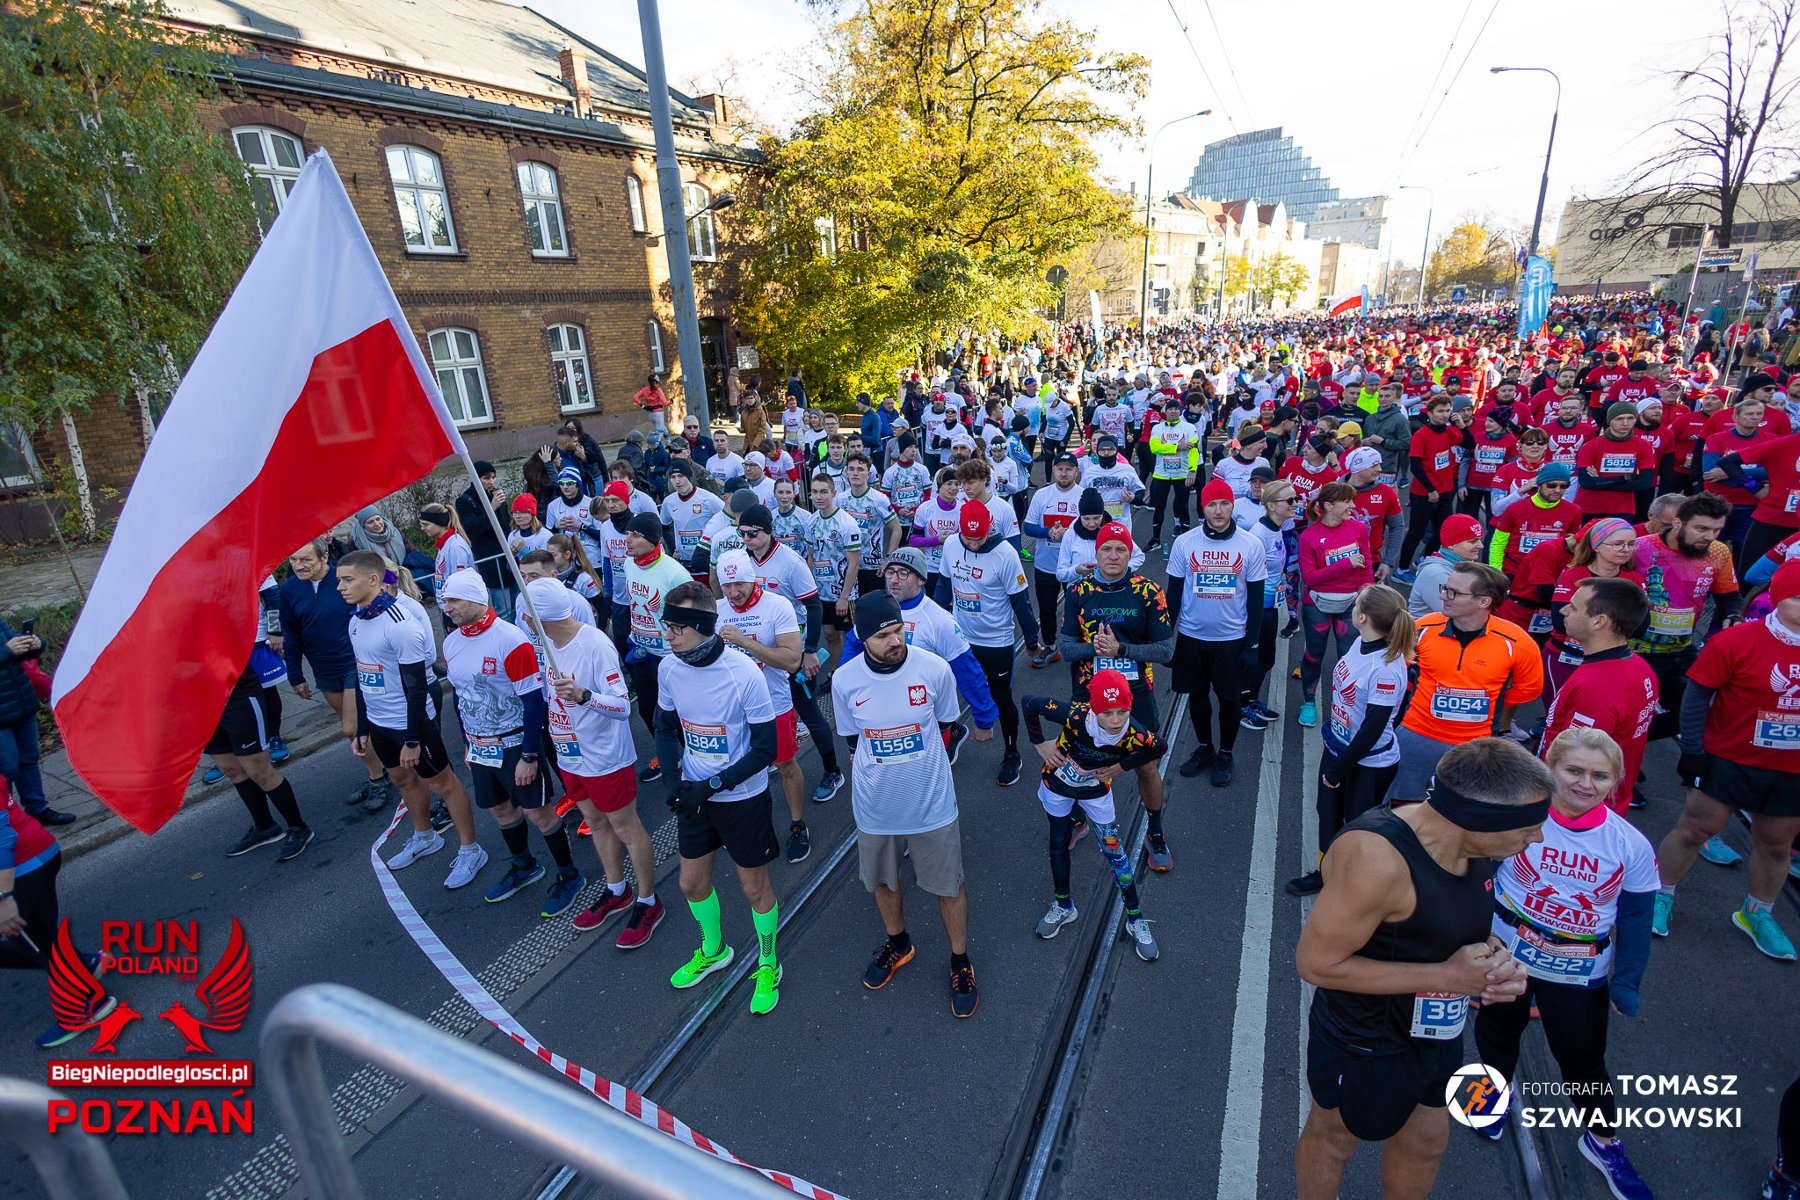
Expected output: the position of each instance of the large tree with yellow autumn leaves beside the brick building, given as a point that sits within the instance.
(949, 170)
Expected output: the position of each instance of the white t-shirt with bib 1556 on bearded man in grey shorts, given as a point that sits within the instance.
(901, 775)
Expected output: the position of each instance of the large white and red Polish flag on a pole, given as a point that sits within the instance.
(309, 400)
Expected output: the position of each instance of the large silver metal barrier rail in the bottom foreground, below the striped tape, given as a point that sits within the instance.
(499, 1095)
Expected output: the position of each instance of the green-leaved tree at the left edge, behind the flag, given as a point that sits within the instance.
(123, 220)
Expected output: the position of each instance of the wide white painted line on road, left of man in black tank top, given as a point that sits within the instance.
(1241, 1138)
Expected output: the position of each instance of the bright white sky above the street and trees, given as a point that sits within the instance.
(1360, 85)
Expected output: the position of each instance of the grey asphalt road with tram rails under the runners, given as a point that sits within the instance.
(1192, 1080)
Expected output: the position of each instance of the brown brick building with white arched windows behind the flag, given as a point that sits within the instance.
(505, 172)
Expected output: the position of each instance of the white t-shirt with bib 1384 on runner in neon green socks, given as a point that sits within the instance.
(717, 708)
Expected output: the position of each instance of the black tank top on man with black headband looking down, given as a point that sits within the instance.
(1450, 913)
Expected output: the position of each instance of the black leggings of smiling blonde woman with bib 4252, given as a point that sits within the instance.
(1574, 1023)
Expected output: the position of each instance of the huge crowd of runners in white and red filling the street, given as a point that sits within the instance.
(1509, 566)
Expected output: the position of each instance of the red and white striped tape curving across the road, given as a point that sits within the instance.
(616, 1095)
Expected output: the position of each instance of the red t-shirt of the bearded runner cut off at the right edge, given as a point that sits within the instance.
(1754, 670)
